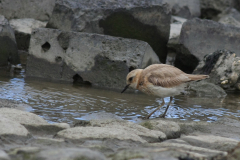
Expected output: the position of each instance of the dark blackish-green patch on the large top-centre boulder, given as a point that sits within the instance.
(122, 24)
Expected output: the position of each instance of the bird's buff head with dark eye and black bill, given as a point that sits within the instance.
(132, 79)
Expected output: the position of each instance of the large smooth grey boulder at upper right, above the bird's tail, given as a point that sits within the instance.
(200, 37)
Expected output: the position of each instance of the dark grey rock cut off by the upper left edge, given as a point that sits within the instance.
(8, 52)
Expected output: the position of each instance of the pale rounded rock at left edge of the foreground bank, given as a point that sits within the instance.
(12, 130)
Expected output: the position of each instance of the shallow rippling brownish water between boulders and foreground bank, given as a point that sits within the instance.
(68, 103)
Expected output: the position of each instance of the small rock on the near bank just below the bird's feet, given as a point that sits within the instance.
(170, 128)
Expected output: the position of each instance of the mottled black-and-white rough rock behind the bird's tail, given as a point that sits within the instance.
(223, 67)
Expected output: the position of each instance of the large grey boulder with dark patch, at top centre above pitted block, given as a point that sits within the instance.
(135, 19)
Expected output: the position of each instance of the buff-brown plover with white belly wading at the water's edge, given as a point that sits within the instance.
(161, 80)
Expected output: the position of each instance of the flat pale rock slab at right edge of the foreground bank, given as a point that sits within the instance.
(211, 141)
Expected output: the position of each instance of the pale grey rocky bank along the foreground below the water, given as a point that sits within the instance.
(105, 136)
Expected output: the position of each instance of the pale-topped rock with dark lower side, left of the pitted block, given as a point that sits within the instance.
(23, 29)
